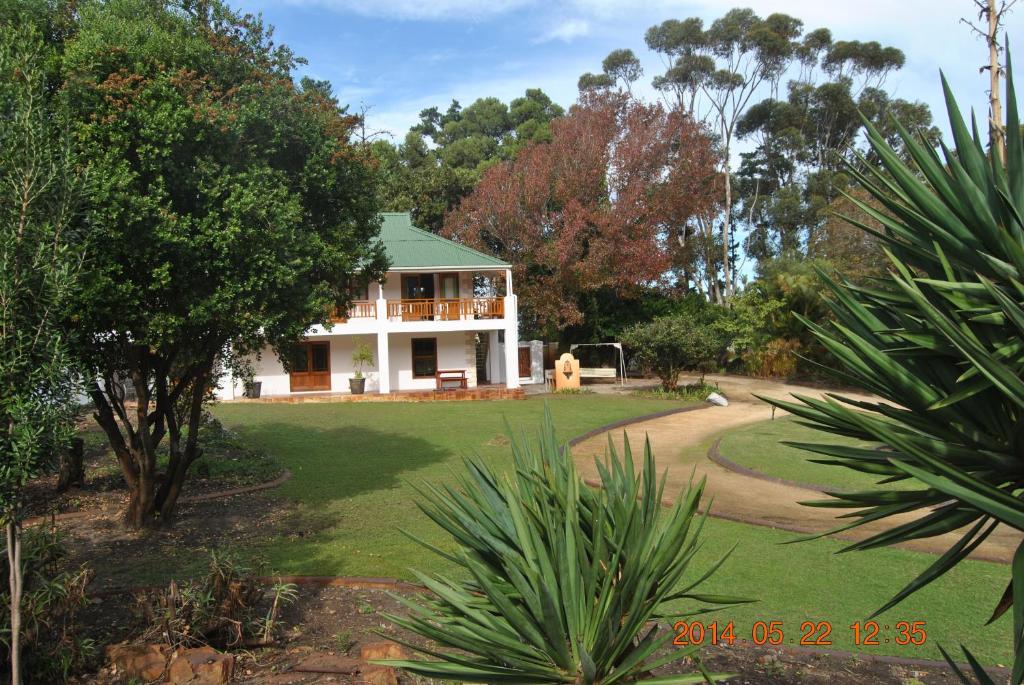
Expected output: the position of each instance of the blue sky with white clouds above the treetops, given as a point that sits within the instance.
(398, 57)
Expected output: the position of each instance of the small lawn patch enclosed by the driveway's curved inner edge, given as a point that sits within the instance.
(758, 447)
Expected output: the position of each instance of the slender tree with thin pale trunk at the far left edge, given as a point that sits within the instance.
(40, 185)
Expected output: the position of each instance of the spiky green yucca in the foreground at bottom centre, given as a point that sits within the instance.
(564, 584)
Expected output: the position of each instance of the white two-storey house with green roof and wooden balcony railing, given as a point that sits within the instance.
(444, 315)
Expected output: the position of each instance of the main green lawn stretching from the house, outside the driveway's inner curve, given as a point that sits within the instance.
(353, 466)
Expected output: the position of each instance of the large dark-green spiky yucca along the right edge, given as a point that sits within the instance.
(942, 342)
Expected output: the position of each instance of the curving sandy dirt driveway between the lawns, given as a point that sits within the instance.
(743, 498)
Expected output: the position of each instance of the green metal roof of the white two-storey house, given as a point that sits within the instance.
(409, 247)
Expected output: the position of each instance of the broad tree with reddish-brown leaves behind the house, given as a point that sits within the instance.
(603, 206)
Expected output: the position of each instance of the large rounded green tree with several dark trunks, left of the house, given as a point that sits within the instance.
(231, 211)
